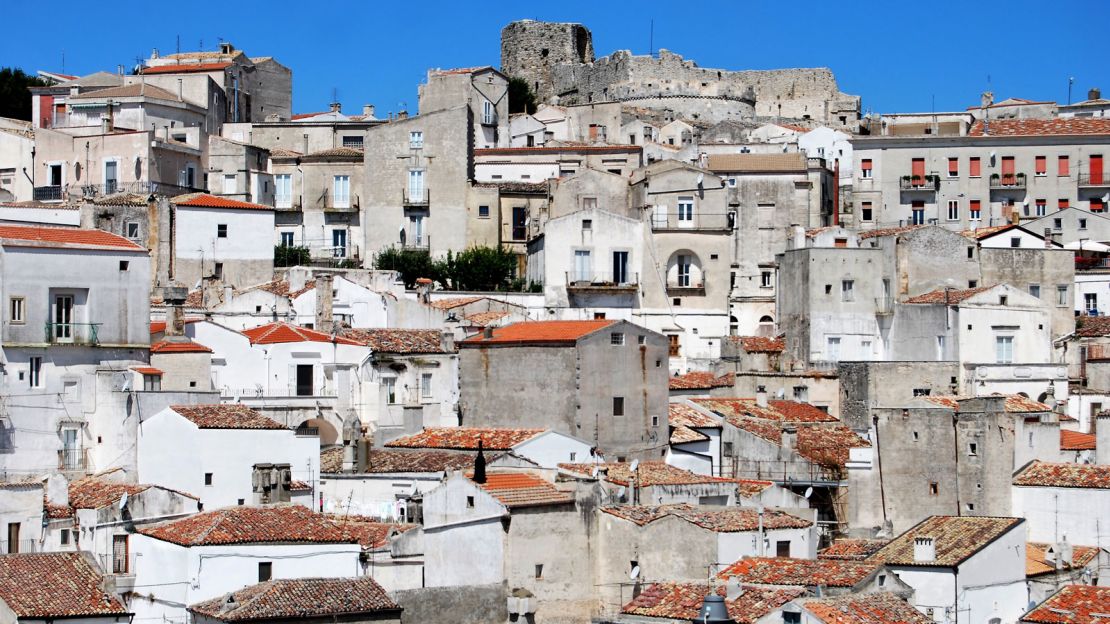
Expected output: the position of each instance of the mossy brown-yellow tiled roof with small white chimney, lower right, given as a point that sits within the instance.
(955, 539)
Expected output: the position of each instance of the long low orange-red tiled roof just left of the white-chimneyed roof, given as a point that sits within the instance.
(805, 572)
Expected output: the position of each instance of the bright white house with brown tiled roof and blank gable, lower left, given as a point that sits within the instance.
(228, 456)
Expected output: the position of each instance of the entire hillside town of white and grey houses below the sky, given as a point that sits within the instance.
(583, 339)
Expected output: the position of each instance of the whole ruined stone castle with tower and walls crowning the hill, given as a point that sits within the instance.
(558, 61)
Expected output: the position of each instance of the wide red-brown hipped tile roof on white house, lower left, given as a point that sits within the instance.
(250, 526)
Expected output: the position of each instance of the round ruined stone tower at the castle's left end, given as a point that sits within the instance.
(530, 51)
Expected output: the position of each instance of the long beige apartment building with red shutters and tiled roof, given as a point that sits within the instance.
(1002, 172)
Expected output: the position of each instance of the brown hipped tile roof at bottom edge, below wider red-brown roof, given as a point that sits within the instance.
(299, 599)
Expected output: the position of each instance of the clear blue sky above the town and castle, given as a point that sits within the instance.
(899, 56)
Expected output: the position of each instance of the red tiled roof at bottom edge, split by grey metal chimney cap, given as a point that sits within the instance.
(683, 601)
